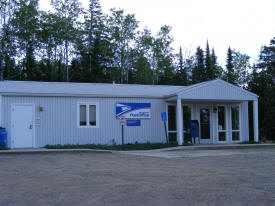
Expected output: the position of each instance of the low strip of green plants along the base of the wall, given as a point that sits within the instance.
(146, 146)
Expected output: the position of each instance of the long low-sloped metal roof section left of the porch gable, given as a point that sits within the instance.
(31, 88)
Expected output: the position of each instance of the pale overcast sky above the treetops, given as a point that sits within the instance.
(245, 25)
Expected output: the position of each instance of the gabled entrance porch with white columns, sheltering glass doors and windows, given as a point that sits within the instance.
(221, 110)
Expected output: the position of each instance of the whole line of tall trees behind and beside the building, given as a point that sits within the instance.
(70, 43)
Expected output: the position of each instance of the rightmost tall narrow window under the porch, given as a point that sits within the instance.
(235, 121)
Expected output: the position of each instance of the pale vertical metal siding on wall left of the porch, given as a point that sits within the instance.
(58, 121)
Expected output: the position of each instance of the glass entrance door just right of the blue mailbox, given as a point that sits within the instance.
(205, 125)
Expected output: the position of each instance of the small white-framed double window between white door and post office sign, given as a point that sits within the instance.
(87, 115)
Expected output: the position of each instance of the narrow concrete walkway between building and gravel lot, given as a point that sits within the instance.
(179, 148)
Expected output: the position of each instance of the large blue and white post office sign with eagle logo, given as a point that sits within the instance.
(133, 110)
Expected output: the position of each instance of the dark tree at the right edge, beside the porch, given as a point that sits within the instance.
(261, 82)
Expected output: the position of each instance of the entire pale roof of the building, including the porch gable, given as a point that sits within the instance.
(216, 89)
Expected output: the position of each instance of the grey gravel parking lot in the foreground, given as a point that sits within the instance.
(231, 177)
